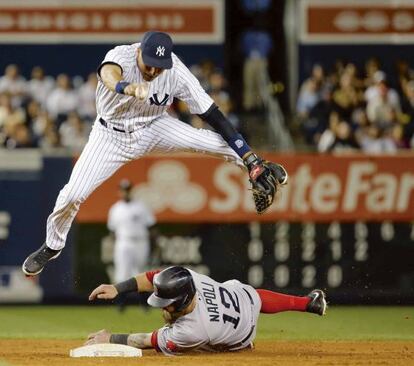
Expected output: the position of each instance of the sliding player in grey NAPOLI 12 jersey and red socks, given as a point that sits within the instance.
(201, 314)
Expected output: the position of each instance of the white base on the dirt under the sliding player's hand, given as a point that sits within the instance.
(106, 350)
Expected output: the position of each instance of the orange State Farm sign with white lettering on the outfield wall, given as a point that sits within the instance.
(321, 188)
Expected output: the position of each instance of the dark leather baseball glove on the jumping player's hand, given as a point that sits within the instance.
(265, 178)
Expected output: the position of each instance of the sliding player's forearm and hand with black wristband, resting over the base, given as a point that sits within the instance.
(137, 340)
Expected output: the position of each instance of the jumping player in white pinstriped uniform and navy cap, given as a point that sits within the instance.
(137, 84)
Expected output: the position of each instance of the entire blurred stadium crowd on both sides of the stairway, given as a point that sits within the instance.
(337, 111)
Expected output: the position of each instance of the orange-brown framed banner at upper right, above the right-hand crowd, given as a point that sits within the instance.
(327, 21)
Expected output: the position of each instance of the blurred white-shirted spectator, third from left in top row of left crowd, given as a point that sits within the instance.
(62, 100)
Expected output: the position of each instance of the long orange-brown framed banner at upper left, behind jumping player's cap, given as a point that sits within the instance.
(94, 21)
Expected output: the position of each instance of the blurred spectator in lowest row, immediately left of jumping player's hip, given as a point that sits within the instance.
(74, 133)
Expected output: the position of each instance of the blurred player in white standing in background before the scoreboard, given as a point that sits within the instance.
(131, 223)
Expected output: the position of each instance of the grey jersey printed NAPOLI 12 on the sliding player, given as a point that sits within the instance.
(224, 318)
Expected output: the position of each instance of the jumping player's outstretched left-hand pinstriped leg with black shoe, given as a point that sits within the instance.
(101, 157)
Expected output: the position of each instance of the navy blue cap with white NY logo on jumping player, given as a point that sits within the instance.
(156, 49)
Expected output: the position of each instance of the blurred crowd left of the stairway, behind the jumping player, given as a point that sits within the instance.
(46, 112)
